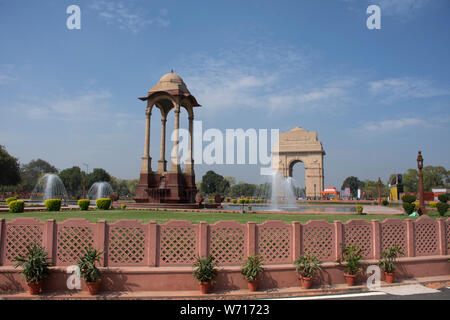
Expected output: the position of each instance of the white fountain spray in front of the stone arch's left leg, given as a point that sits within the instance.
(282, 192)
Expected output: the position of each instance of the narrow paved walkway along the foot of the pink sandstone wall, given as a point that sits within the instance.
(283, 293)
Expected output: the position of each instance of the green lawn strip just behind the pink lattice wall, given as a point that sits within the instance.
(162, 216)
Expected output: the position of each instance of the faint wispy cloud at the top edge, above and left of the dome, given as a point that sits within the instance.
(127, 16)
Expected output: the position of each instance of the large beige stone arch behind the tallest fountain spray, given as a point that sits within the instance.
(300, 145)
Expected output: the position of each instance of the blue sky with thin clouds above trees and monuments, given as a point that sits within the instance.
(375, 97)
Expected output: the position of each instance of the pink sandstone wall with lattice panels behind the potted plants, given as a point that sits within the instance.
(160, 256)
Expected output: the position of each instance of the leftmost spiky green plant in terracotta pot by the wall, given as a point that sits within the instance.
(35, 267)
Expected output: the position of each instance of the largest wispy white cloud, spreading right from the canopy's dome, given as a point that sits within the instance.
(263, 77)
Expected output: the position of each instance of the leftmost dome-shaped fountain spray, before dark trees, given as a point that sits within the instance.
(49, 186)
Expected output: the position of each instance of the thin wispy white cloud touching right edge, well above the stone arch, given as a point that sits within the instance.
(406, 87)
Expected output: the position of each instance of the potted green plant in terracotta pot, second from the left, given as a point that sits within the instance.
(88, 270)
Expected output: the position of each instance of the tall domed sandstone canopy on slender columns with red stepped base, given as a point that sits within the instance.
(165, 185)
